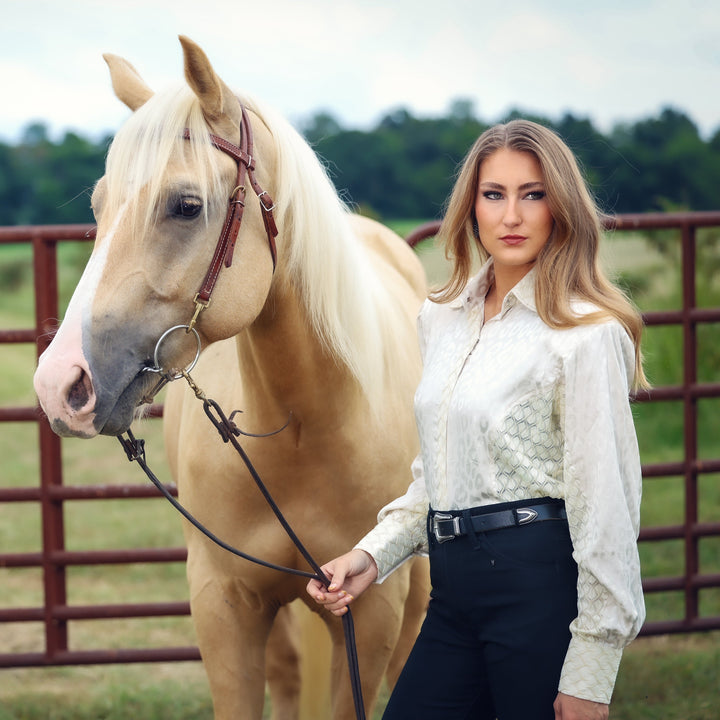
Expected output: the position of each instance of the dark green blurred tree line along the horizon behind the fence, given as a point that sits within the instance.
(404, 166)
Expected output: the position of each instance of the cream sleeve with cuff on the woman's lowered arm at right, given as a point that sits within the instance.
(602, 483)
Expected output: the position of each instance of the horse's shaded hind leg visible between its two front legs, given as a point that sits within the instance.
(282, 664)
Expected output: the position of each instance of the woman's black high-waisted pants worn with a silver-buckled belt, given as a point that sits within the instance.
(496, 632)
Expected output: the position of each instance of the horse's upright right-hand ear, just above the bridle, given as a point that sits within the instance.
(216, 99)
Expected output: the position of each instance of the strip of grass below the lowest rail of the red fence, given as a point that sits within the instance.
(663, 678)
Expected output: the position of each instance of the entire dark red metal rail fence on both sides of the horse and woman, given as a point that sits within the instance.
(51, 494)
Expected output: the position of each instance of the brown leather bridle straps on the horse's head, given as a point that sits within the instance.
(236, 204)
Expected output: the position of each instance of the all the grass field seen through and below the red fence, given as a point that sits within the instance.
(672, 678)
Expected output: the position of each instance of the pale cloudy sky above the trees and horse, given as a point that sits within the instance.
(613, 61)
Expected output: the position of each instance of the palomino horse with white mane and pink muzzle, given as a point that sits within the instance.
(317, 333)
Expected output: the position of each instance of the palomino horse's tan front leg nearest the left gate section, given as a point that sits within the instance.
(232, 638)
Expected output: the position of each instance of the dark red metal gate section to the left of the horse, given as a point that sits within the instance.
(52, 494)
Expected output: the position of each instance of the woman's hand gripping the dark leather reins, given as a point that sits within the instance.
(350, 575)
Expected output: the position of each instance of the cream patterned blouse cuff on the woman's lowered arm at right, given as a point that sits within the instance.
(590, 670)
